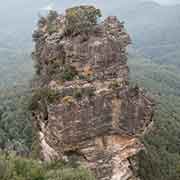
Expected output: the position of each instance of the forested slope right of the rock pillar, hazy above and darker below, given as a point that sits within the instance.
(161, 159)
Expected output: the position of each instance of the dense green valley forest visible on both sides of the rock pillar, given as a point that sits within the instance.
(160, 161)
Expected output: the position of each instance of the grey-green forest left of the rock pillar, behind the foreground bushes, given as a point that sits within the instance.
(15, 120)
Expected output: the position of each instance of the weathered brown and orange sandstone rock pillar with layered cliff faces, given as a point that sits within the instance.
(96, 116)
